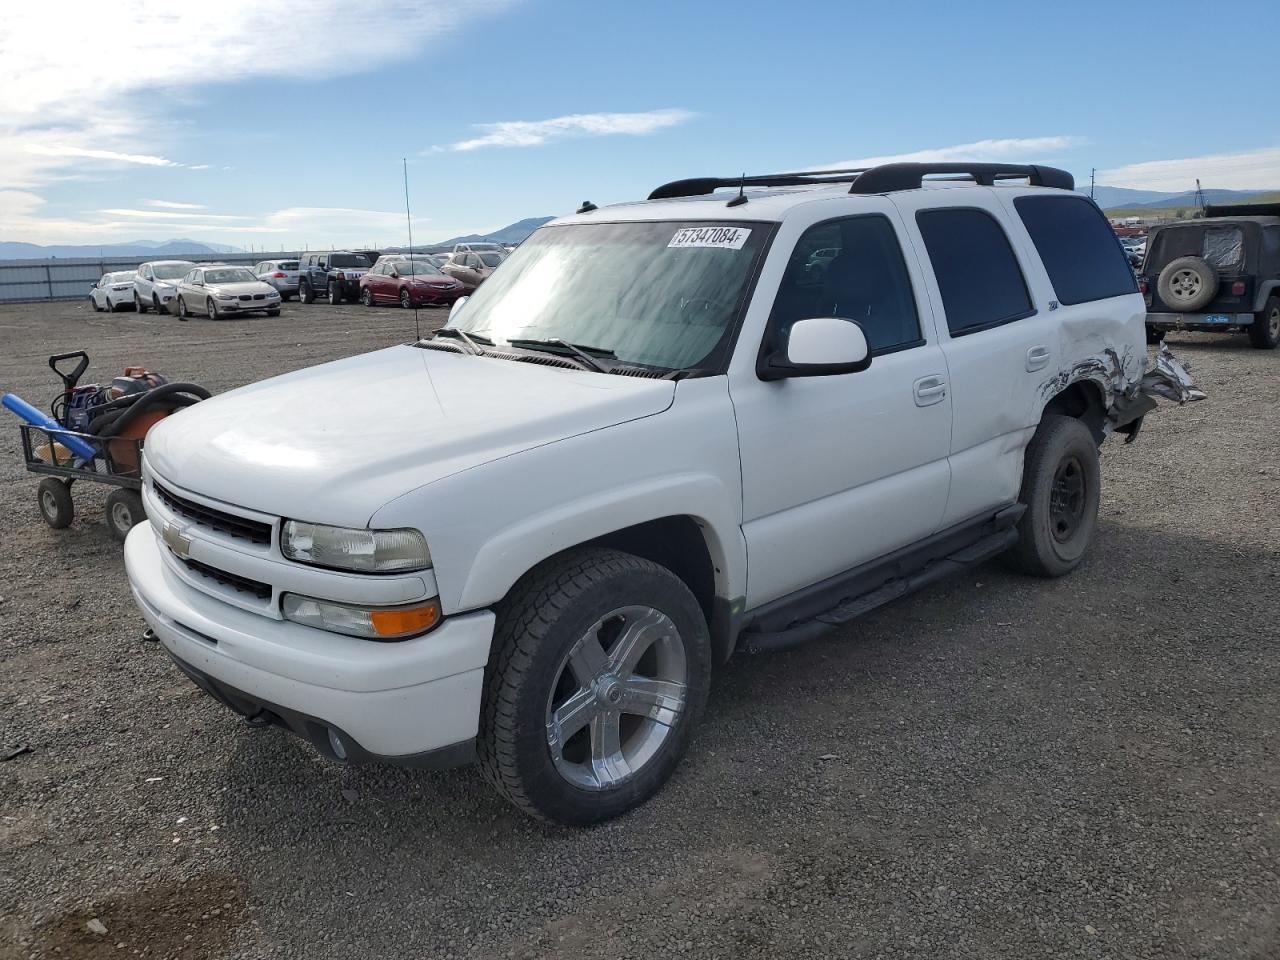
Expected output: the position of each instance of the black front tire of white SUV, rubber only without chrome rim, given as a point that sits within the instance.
(540, 623)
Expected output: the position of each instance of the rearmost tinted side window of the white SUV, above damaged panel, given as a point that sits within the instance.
(1080, 249)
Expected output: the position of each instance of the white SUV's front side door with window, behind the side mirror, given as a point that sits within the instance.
(842, 470)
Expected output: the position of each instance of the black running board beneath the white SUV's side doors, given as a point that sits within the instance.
(851, 609)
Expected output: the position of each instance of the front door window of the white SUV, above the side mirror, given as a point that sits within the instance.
(852, 269)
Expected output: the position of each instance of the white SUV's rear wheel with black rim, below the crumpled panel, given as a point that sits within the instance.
(1060, 492)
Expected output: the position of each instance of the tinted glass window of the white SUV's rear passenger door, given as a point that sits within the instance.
(979, 275)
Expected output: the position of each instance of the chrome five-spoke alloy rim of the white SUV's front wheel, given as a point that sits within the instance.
(618, 697)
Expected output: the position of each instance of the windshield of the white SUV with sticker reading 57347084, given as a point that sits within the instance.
(656, 294)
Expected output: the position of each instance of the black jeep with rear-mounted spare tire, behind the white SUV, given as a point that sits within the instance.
(1220, 273)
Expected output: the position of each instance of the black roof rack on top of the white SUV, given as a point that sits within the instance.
(885, 179)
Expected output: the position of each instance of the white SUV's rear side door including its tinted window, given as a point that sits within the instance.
(999, 333)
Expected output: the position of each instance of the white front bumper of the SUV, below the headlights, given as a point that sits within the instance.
(412, 703)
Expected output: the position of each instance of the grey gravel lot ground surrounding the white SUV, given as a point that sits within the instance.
(994, 769)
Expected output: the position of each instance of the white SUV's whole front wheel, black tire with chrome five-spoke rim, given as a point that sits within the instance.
(597, 679)
